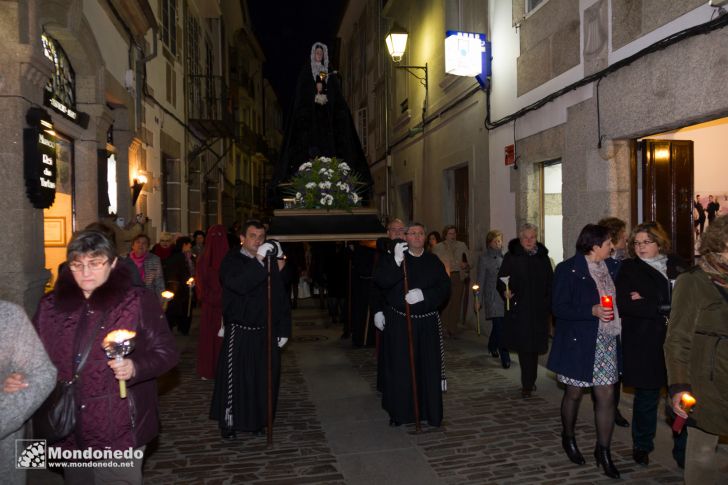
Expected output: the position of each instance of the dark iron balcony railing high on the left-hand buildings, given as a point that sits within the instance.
(209, 107)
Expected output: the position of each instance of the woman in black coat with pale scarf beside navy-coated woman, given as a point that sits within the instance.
(644, 285)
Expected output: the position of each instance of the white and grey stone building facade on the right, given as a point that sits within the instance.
(580, 84)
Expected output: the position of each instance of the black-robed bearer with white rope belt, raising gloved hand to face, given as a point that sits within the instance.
(239, 401)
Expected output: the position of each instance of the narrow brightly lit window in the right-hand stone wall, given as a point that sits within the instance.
(551, 209)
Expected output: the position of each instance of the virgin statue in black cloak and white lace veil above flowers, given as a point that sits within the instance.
(319, 124)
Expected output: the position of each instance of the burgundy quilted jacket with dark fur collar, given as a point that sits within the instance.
(65, 321)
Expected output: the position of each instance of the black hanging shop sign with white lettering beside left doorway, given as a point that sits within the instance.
(39, 156)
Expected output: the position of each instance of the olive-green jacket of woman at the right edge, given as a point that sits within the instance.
(696, 348)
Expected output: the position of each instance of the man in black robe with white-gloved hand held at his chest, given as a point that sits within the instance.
(429, 288)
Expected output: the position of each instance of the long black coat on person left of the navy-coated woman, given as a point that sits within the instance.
(526, 325)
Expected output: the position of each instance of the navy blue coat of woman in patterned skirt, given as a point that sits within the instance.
(575, 328)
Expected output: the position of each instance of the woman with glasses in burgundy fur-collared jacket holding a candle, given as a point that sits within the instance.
(92, 297)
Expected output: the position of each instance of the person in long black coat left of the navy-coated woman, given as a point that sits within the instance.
(527, 268)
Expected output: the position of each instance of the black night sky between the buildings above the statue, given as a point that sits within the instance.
(286, 31)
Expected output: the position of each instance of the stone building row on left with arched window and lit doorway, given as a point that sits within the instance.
(137, 99)
